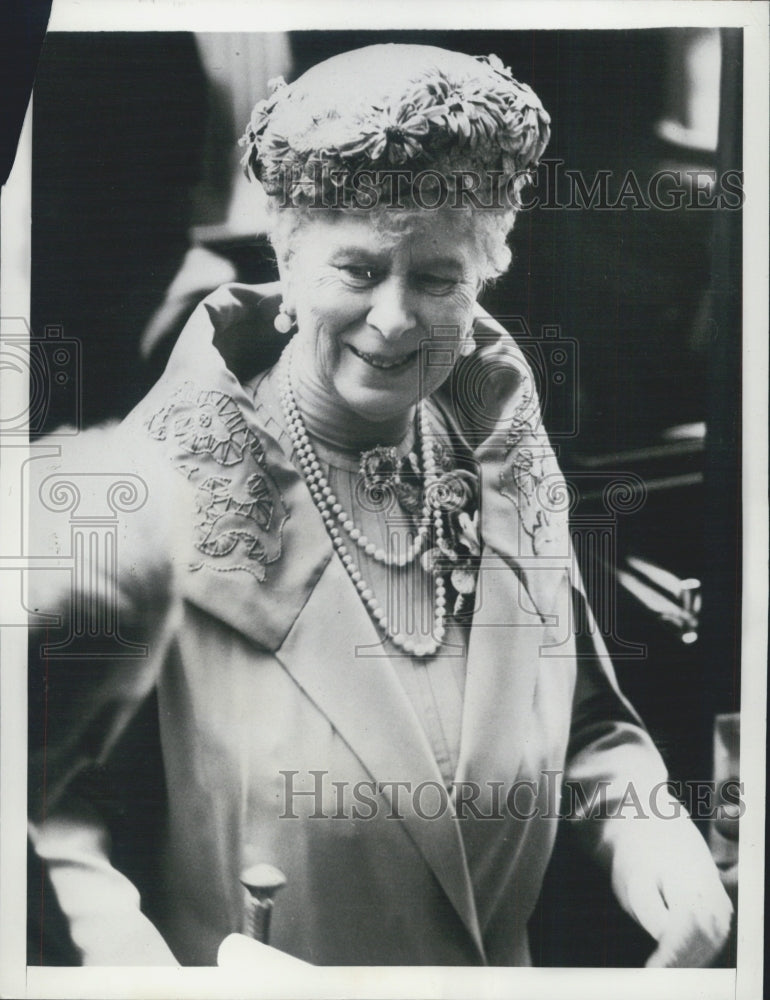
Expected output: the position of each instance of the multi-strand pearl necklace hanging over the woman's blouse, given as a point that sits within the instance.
(334, 518)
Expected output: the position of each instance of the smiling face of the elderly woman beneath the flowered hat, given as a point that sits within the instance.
(380, 314)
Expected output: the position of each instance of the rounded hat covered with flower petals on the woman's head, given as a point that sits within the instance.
(438, 119)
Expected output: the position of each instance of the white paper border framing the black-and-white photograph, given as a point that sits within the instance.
(743, 982)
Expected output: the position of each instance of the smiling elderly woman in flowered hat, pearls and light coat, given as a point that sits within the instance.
(349, 580)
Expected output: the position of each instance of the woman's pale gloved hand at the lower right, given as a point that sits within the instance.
(664, 876)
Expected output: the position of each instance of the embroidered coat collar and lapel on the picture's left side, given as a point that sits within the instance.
(251, 546)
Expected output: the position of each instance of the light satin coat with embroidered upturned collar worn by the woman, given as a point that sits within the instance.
(268, 671)
